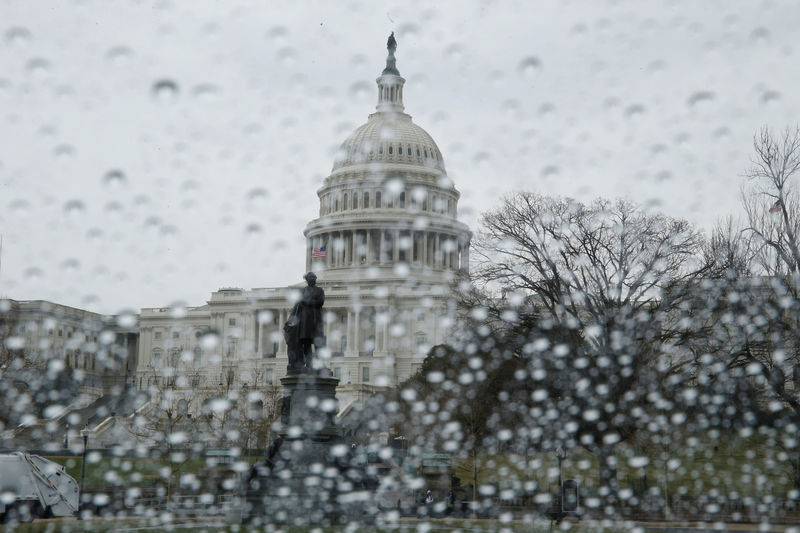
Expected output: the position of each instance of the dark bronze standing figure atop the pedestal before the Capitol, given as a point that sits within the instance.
(304, 328)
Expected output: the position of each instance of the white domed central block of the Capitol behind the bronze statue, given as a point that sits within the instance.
(386, 247)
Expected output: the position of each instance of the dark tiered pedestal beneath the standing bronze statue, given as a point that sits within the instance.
(309, 475)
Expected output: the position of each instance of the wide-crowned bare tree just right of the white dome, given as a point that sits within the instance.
(588, 294)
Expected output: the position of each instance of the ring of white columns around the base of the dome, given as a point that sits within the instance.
(347, 248)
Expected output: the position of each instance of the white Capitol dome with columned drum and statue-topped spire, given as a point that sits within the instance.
(388, 213)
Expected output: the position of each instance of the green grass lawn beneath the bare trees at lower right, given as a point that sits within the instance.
(714, 463)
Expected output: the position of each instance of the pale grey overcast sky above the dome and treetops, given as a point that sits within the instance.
(152, 152)
